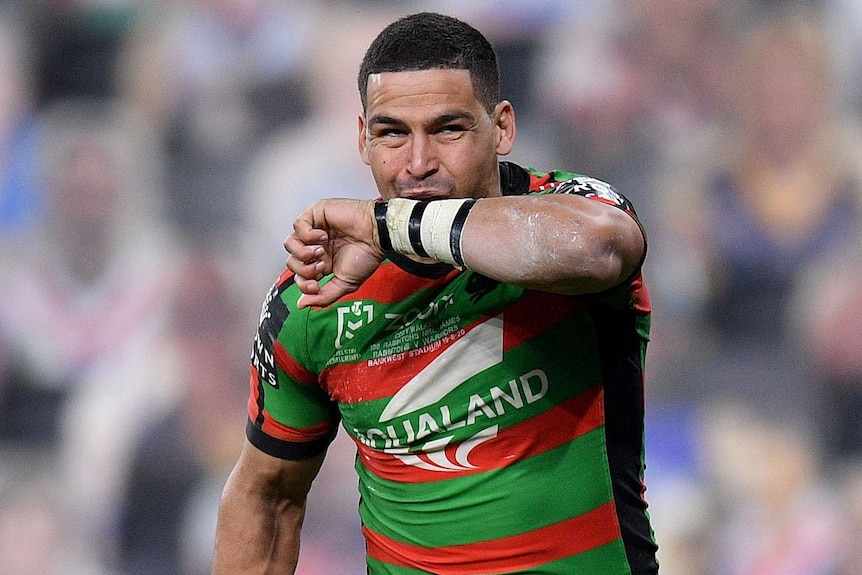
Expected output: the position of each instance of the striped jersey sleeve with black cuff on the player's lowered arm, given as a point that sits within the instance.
(289, 415)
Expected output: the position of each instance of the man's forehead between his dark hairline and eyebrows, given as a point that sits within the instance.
(414, 91)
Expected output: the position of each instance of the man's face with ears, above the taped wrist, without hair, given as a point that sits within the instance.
(426, 136)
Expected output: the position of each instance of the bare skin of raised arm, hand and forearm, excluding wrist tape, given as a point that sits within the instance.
(558, 243)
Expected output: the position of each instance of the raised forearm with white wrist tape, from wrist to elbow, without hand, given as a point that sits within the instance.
(563, 244)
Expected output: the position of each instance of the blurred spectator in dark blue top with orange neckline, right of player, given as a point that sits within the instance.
(779, 192)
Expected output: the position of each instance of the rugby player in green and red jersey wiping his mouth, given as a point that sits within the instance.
(480, 333)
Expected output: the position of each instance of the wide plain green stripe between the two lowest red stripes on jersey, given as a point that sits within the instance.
(491, 505)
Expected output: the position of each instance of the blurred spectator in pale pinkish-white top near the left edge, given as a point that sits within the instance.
(86, 287)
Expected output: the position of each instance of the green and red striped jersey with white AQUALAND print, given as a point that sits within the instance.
(499, 430)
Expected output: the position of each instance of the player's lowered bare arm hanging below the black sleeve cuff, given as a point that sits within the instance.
(261, 512)
